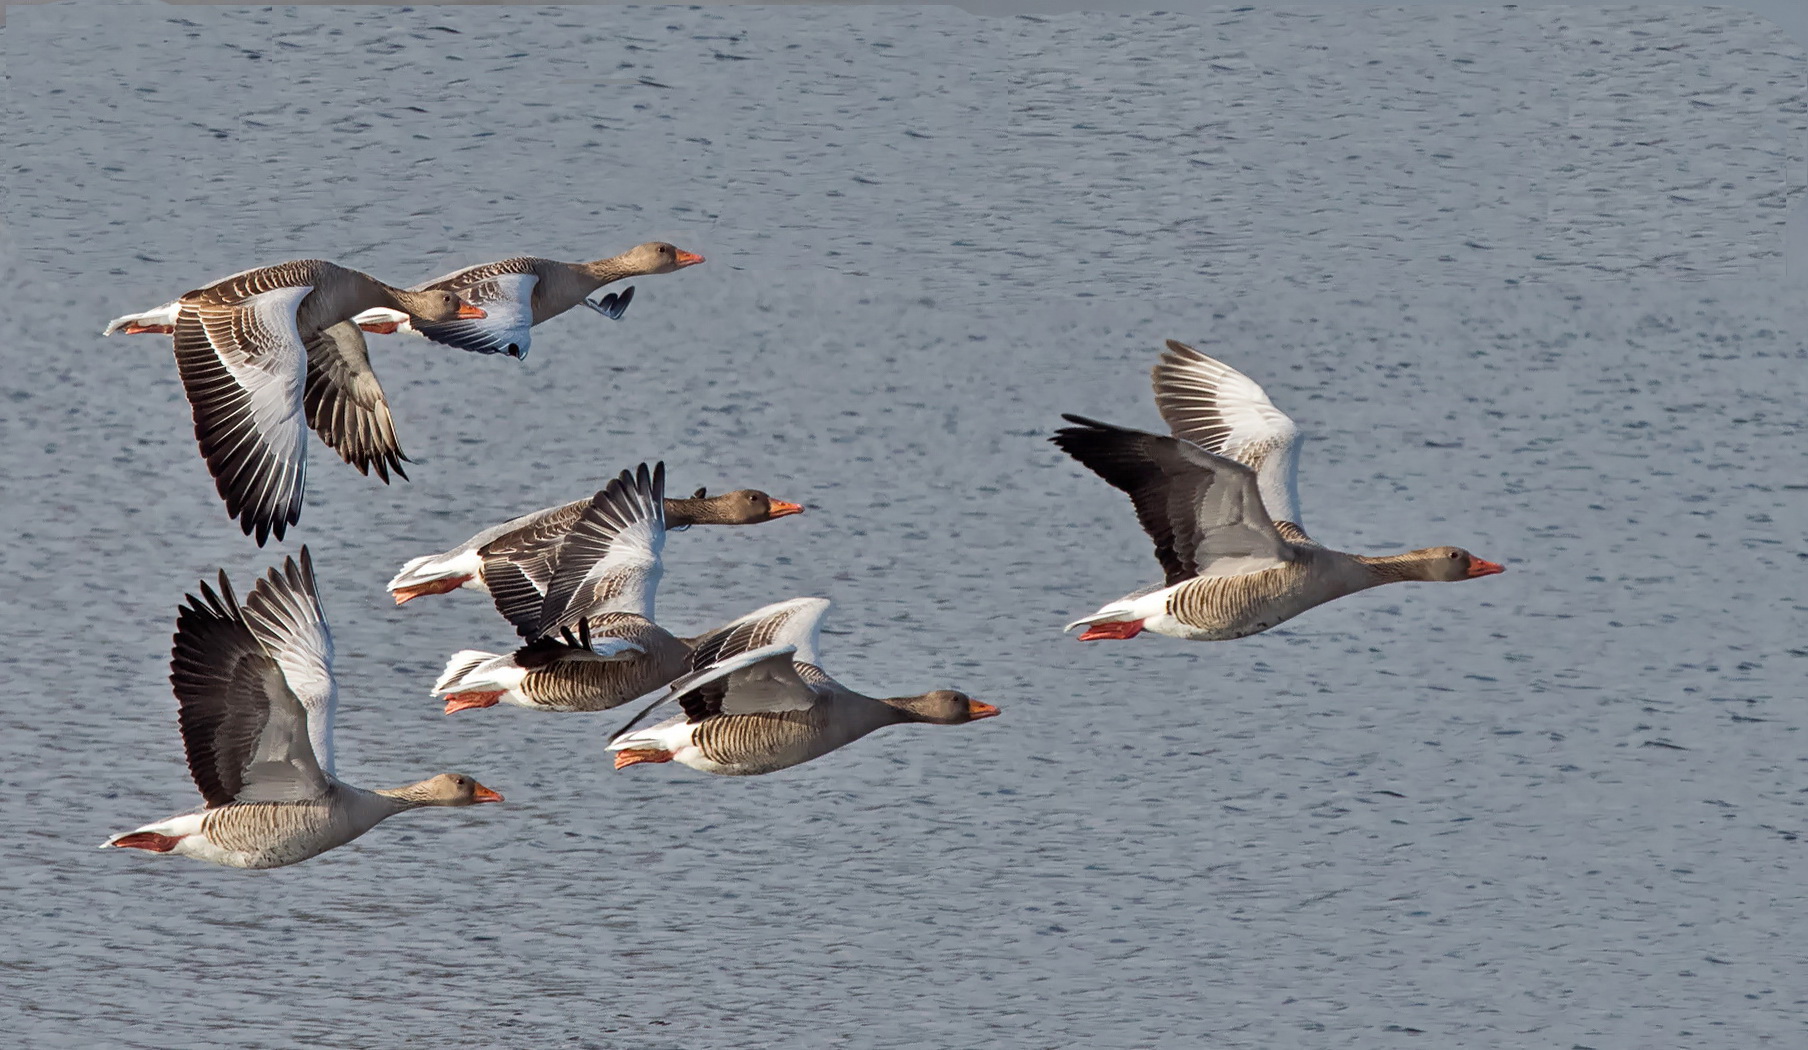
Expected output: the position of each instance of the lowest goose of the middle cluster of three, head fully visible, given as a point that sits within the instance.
(758, 702)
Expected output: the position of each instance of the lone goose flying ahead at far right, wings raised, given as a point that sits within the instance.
(1219, 500)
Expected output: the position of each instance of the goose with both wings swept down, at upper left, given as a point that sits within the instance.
(268, 353)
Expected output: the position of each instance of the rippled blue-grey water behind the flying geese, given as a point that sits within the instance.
(1520, 276)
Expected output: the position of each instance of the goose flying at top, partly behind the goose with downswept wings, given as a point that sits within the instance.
(525, 292)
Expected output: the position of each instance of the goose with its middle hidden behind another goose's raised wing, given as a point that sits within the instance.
(464, 565)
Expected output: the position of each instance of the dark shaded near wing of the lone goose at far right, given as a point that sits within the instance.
(1205, 512)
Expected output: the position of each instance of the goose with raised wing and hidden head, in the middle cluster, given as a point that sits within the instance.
(598, 581)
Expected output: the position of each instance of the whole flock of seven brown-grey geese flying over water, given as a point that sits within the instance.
(270, 353)
